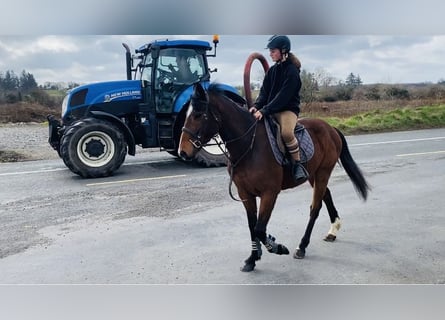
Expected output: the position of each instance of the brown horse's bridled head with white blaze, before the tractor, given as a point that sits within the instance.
(200, 124)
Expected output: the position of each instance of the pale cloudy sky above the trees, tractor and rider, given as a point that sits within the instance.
(88, 58)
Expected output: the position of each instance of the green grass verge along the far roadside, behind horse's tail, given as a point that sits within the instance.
(393, 120)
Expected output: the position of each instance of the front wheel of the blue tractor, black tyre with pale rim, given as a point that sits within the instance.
(93, 148)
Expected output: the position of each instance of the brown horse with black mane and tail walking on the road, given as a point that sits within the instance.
(255, 171)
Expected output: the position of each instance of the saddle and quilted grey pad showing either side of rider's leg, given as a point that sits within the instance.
(277, 144)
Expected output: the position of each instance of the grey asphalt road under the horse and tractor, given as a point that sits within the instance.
(160, 221)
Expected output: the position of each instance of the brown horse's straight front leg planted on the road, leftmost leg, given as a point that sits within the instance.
(251, 210)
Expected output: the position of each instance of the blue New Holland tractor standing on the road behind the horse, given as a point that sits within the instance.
(102, 122)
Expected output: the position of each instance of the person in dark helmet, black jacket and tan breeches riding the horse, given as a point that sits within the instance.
(280, 96)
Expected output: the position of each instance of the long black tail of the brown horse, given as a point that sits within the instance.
(351, 168)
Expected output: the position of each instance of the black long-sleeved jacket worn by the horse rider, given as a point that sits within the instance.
(280, 90)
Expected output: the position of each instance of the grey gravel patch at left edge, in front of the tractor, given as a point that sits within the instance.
(25, 142)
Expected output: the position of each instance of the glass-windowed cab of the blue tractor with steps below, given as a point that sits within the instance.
(167, 70)
